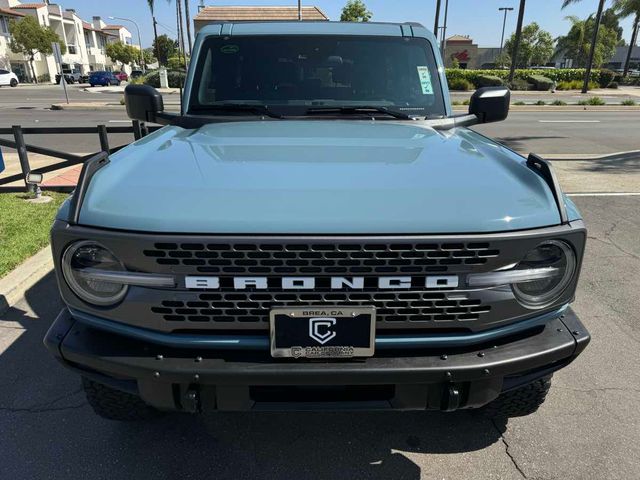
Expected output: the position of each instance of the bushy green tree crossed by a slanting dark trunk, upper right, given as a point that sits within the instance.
(576, 44)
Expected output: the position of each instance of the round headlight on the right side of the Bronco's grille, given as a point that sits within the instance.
(540, 293)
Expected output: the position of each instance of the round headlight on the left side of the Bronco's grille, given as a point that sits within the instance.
(78, 261)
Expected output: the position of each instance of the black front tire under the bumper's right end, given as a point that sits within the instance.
(519, 402)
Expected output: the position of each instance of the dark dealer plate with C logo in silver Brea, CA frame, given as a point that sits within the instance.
(323, 332)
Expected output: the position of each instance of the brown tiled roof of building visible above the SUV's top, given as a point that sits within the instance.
(258, 13)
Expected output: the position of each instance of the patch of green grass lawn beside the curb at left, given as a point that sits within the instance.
(24, 227)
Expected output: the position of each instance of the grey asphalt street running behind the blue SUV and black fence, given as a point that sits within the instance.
(553, 132)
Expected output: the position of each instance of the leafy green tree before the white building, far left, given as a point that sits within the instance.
(29, 38)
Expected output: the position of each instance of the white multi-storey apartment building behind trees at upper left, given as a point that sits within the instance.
(86, 41)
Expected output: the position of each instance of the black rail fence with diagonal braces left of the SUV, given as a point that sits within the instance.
(137, 128)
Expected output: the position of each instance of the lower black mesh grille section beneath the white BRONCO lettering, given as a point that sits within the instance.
(391, 307)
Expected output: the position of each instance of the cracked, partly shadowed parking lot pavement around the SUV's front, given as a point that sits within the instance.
(589, 427)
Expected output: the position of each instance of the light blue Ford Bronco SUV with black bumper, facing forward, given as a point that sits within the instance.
(316, 229)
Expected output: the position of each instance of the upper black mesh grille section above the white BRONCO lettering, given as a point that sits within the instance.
(318, 259)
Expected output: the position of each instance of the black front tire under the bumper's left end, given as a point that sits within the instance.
(116, 405)
